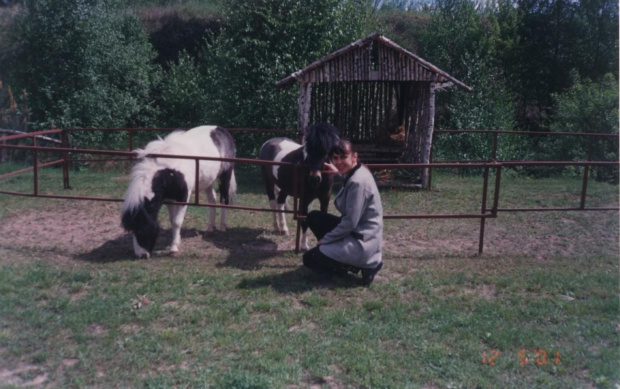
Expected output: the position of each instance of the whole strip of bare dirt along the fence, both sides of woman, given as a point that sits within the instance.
(91, 231)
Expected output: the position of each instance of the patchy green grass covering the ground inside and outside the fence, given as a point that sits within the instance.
(235, 317)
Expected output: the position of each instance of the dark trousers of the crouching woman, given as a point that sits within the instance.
(320, 223)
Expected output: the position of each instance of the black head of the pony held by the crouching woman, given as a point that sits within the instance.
(318, 141)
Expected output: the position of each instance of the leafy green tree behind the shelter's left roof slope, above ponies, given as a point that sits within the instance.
(265, 40)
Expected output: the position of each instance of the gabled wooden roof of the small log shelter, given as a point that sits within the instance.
(373, 58)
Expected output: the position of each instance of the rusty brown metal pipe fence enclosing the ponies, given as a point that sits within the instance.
(485, 213)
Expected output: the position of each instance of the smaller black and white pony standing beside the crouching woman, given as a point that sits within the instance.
(311, 184)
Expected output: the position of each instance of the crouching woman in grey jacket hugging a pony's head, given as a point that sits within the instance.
(350, 242)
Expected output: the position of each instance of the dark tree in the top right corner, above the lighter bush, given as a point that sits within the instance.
(553, 38)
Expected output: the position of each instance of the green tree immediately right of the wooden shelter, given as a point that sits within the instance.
(462, 39)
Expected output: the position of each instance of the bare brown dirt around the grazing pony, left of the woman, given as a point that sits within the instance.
(92, 231)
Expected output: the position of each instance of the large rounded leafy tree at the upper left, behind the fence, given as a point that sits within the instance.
(83, 63)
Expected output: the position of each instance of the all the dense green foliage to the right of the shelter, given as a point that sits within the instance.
(522, 58)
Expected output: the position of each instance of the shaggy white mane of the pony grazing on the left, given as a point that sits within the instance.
(143, 172)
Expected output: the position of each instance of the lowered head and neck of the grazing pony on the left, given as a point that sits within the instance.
(150, 186)
